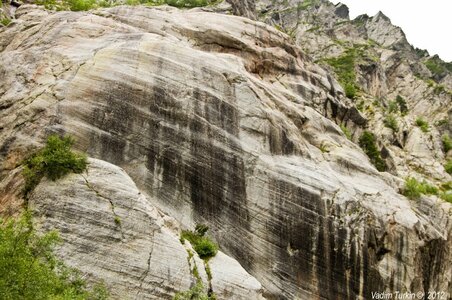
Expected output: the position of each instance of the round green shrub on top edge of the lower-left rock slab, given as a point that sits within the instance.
(54, 161)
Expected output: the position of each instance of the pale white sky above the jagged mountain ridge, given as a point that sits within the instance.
(427, 24)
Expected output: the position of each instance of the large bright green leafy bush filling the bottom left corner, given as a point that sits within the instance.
(29, 269)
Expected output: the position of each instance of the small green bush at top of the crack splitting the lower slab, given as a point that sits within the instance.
(202, 244)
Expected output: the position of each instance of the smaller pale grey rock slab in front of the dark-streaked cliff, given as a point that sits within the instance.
(111, 232)
